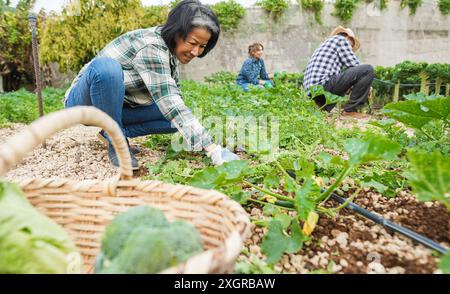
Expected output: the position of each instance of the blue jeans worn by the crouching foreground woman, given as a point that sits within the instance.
(102, 86)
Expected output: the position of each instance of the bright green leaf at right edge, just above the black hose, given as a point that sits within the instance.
(429, 176)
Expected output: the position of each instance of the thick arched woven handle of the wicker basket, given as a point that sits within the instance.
(18, 146)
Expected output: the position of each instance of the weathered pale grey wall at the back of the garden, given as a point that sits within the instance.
(387, 38)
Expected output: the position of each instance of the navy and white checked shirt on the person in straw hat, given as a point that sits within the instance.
(329, 59)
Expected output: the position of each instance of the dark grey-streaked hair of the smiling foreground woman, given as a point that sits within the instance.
(186, 16)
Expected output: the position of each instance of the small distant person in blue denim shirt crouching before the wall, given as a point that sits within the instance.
(253, 71)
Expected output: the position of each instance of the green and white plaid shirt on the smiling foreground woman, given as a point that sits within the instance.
(151, 76)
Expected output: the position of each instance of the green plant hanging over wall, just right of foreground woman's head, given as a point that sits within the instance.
(229, 14)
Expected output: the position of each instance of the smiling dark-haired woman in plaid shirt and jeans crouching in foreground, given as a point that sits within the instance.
(135, 79)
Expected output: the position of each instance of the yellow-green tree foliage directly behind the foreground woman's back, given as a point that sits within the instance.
(86, 26)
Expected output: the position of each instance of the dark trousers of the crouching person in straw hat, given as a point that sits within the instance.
(358, 78)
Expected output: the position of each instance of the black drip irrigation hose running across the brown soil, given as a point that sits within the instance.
(386, 223)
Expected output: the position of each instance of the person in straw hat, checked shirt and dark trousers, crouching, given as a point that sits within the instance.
(335, 66)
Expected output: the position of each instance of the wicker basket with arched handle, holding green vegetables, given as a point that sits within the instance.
(84, 208)
